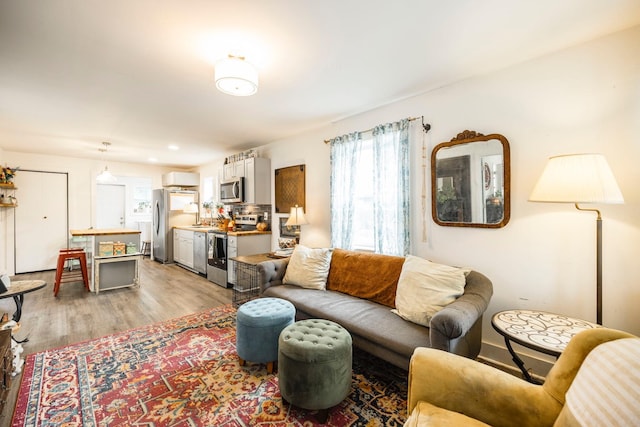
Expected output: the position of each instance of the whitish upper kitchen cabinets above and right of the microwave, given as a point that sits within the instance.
(257, 178)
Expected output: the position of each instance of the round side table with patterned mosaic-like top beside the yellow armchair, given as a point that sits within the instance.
(541, 331)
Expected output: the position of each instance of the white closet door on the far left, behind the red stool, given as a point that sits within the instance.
(41, 225)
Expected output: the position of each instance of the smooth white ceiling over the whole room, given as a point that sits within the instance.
(139, 73)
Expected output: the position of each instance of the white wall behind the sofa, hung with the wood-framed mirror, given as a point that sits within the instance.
(584, 99)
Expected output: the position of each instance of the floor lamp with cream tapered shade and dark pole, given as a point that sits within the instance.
(580, 178)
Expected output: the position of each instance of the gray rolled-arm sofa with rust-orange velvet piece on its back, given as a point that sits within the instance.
(374, 327)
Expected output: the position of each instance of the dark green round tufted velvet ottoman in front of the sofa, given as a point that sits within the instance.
(314, 364)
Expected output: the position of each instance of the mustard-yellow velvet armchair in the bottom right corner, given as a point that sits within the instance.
(449, 390)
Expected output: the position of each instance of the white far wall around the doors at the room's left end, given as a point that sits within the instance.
(82, 188)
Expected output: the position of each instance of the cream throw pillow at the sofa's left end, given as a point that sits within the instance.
(308, 268)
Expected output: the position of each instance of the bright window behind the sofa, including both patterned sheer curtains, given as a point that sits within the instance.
(370, 190)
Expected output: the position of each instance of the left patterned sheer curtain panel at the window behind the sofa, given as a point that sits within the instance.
(345, 152)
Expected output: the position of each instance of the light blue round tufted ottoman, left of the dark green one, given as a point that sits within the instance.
(258, 326)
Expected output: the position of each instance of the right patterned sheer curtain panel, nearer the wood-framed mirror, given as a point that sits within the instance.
(391, 206)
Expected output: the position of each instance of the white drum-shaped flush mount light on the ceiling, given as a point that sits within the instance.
(235, 76)
